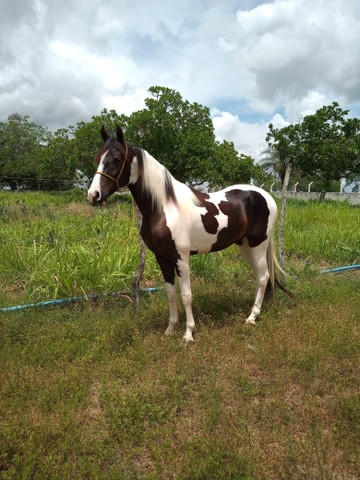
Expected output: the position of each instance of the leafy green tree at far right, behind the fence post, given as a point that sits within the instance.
(323, 147)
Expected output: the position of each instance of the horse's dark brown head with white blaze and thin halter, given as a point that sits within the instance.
(113, 168)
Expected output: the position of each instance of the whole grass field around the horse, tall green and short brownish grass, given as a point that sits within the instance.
(94, 390)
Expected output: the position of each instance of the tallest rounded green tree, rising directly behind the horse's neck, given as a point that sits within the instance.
(178, 133)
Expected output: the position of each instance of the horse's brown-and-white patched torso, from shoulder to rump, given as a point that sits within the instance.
(223, 218)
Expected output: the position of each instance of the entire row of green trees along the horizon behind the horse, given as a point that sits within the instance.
(323, 147)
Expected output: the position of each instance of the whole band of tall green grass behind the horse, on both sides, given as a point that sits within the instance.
(54, 245)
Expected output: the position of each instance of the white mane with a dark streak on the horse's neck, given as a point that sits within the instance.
(158, 183)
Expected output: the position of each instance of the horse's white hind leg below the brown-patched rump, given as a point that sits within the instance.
(257, 259)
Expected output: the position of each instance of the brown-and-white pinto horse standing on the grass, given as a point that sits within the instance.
(179, 221)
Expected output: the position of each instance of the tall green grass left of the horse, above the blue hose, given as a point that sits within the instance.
(56, 250)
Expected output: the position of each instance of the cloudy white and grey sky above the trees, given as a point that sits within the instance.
(251, 62)
